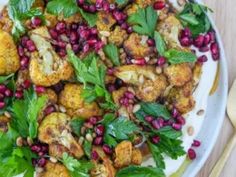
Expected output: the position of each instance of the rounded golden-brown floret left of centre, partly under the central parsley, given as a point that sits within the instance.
(71, 99)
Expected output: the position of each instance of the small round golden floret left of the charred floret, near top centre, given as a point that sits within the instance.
(118, 36)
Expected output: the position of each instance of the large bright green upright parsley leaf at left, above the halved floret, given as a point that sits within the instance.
(25, 113)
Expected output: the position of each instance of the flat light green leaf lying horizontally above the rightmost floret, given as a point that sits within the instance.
(177, 57)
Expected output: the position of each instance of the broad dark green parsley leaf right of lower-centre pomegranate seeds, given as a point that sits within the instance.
(117, 129)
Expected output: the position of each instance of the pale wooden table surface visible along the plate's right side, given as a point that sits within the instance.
(225, 18)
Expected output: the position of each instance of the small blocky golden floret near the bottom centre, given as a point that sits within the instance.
(123, 152)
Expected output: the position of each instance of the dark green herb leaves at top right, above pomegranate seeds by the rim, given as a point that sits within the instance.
(194, 16)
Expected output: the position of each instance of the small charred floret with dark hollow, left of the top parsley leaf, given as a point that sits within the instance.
(105, 21)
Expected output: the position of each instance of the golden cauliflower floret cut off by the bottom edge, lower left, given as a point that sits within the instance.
(54, 170)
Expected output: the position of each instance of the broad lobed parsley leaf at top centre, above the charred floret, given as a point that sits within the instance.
(144, 21)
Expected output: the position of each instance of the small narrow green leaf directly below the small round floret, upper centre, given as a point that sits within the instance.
(112, 53)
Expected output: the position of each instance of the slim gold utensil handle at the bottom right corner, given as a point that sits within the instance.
(222, 160)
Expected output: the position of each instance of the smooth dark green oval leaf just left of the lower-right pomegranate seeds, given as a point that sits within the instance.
(156, 110)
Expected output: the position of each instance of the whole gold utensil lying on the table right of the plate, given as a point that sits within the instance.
(231, 110)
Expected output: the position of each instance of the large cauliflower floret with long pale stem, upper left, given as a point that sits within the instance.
(47, 68)
